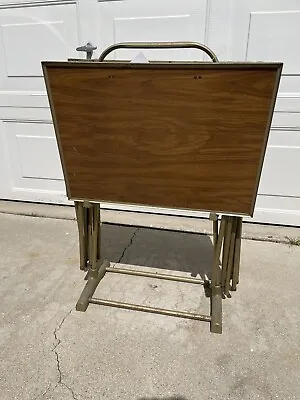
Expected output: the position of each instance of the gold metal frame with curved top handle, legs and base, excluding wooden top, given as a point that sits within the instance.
(226, 240)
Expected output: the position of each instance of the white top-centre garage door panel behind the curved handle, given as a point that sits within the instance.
(132, 20)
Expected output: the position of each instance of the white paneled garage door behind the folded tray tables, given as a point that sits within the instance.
(44, 30)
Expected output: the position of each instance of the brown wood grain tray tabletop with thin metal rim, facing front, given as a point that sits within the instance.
(178, 136)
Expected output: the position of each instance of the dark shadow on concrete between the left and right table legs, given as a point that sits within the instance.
(177, 251)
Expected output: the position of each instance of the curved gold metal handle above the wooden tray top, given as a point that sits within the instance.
(159, 45)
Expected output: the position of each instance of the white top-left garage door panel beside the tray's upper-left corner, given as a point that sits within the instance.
(31, 34)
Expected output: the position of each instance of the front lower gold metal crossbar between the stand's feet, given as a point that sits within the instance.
(155, 310)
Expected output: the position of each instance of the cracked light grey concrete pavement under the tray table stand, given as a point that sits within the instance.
(50, 351)
